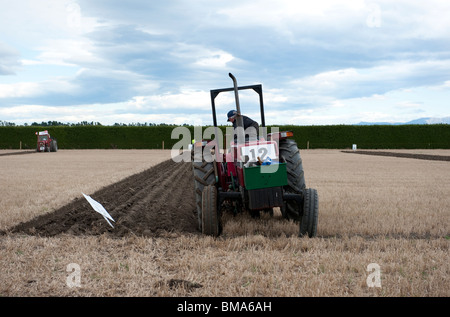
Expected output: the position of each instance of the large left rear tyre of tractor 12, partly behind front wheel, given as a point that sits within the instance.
(203, 176)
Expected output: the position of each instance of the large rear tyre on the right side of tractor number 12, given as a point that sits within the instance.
(295, 175)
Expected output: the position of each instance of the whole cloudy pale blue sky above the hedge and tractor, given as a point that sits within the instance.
(319, 62)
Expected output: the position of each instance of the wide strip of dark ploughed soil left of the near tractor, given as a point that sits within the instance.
(155, 202)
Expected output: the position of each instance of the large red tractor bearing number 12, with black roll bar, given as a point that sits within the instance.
(251, 175)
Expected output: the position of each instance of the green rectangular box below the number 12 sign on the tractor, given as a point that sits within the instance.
(264, 176)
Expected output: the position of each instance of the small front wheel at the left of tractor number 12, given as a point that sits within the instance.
(211, 223)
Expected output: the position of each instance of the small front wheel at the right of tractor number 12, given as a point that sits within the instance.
(308, 224)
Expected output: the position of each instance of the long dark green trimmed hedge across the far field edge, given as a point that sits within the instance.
(156, 137)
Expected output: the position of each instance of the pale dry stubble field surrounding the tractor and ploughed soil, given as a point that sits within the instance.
(394, 212)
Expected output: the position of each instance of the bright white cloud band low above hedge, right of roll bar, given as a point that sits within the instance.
(400, 105)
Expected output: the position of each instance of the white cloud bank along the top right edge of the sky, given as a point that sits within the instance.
(407, 18)
